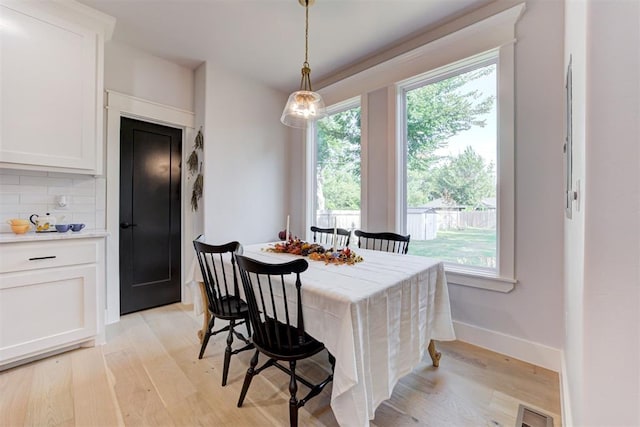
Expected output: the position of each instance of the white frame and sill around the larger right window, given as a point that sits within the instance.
(503, 277)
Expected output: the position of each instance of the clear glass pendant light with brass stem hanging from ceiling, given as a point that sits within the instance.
(305, 105)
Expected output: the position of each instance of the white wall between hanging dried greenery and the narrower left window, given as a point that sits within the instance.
(246, 158)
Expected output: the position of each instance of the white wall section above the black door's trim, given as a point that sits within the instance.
(137, 73)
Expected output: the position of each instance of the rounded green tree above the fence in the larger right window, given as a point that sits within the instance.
(465, 179)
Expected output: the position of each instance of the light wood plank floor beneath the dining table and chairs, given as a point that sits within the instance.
(148, 373)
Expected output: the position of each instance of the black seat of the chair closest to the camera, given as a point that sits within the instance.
(299, 350)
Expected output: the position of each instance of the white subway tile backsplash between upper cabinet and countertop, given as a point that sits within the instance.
(23, 193)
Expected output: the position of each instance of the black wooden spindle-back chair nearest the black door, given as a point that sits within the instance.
(223, 296)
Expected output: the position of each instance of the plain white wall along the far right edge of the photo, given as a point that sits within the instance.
(602, 347)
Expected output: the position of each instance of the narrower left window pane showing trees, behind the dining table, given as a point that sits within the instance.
(338, 170)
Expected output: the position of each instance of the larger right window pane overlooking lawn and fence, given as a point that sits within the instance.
(451, 168)
